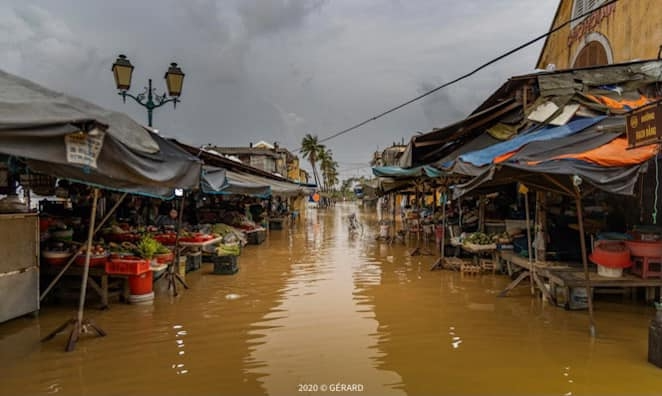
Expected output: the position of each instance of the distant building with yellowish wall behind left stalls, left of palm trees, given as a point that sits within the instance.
(268, 157)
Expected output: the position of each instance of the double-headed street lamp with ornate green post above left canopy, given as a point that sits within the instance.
(122, 69)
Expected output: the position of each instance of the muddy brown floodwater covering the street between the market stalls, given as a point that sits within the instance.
(314, 309)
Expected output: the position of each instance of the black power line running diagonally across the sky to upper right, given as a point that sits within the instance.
(464, 76)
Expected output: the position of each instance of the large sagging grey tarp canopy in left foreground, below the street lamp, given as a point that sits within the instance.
(35, 122)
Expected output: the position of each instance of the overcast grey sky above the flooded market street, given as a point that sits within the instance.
(275, 70)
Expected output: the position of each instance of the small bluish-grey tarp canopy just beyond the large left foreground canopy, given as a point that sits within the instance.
(220, 181)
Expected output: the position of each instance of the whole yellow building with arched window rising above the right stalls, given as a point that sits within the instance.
(613, 33)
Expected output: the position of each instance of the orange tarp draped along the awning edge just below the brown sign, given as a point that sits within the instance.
(614, 153)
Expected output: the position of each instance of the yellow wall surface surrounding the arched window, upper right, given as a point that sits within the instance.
(632, 28)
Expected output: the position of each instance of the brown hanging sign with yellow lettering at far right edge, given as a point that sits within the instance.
(644, 126)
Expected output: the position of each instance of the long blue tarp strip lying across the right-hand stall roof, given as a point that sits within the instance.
(486, 156)
